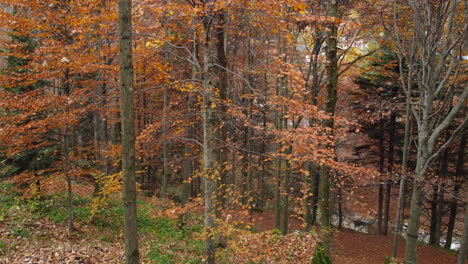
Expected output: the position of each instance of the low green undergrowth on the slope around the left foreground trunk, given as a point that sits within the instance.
(167, 240)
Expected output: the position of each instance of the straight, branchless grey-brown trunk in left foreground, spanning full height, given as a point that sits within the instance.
(132, 254)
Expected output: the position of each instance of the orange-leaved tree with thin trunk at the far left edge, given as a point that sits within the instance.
(41, 50)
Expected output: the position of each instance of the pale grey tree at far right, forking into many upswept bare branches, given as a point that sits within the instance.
(431, 50)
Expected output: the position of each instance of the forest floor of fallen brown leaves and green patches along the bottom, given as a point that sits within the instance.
(35, 231)
